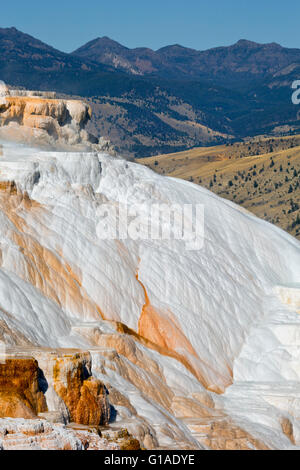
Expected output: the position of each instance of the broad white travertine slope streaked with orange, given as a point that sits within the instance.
(169, 330)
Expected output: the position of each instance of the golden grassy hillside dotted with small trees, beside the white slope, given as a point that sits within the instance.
(262, 175)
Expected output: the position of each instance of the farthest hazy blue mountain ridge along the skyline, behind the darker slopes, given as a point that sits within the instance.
(244, 60)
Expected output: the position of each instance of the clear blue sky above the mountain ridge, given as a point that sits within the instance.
(68, 24)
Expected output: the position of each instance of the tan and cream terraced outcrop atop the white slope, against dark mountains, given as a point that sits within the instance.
(39, 118)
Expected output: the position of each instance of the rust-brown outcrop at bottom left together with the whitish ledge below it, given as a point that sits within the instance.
(72, 405)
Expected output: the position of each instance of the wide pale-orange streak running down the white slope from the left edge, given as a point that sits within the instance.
(44, 269)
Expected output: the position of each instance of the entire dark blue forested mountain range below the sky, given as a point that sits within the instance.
(148, 102)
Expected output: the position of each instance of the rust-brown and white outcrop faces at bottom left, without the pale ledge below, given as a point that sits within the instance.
(59, 387)
